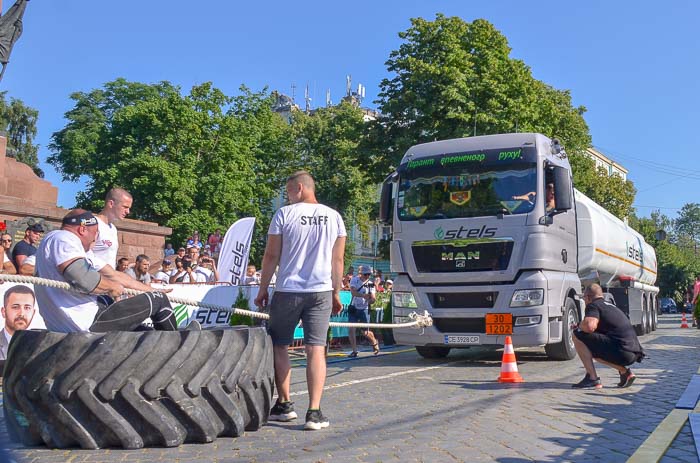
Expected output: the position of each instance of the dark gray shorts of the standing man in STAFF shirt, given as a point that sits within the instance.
(313, 309)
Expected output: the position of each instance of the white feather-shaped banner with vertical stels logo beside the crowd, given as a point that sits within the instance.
(233, 257)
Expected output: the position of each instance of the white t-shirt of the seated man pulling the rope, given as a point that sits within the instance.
(63, 311)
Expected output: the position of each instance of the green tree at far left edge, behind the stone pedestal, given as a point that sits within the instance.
(19, 123)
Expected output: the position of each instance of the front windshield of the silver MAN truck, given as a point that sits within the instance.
(471, 190)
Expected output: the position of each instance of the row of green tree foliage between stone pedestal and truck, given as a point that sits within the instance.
(202, 160)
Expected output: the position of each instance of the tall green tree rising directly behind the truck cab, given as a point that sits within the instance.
(451, 78)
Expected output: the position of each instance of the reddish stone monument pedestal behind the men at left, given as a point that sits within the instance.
(24, 197)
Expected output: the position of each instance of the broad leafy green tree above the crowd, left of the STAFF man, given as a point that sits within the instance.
(191, 161)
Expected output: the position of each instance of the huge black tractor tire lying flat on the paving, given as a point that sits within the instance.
(136, 389)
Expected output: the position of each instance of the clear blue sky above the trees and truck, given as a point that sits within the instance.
(634, 65)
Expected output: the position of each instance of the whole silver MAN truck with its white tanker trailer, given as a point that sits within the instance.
(477, 243)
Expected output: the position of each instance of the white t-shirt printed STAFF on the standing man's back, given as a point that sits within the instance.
(309, 232)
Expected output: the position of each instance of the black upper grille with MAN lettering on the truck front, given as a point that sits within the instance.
(472, 257)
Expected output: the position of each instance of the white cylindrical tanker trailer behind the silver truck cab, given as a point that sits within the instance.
(615, 255)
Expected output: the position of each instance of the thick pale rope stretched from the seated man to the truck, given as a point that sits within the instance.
(417, 320)
